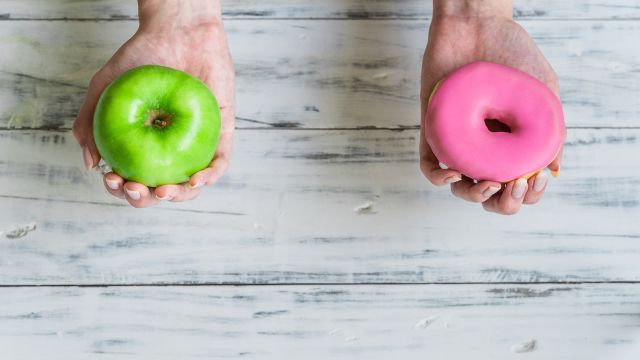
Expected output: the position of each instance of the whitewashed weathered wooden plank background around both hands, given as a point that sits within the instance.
(323, 240)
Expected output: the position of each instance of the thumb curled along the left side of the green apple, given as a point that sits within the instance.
(83, 125)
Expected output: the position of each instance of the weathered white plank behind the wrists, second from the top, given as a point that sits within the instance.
(318, 74)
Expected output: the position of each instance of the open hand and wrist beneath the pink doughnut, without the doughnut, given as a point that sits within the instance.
(462, 32)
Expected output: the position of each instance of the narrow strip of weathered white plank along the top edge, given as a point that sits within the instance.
(335, 9)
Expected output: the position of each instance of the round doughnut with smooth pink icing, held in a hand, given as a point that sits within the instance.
(456, 131)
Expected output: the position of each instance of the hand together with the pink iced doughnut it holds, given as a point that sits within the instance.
(463, 32)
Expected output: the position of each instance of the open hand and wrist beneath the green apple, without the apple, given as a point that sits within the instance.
(186, 35)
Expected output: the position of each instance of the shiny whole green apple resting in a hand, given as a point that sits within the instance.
(156, 125)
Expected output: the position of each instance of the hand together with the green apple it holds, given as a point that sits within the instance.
(189, 37)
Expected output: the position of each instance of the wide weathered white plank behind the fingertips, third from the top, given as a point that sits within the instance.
(287, 213)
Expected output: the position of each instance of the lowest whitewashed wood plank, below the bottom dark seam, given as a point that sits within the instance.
(274, 322)
